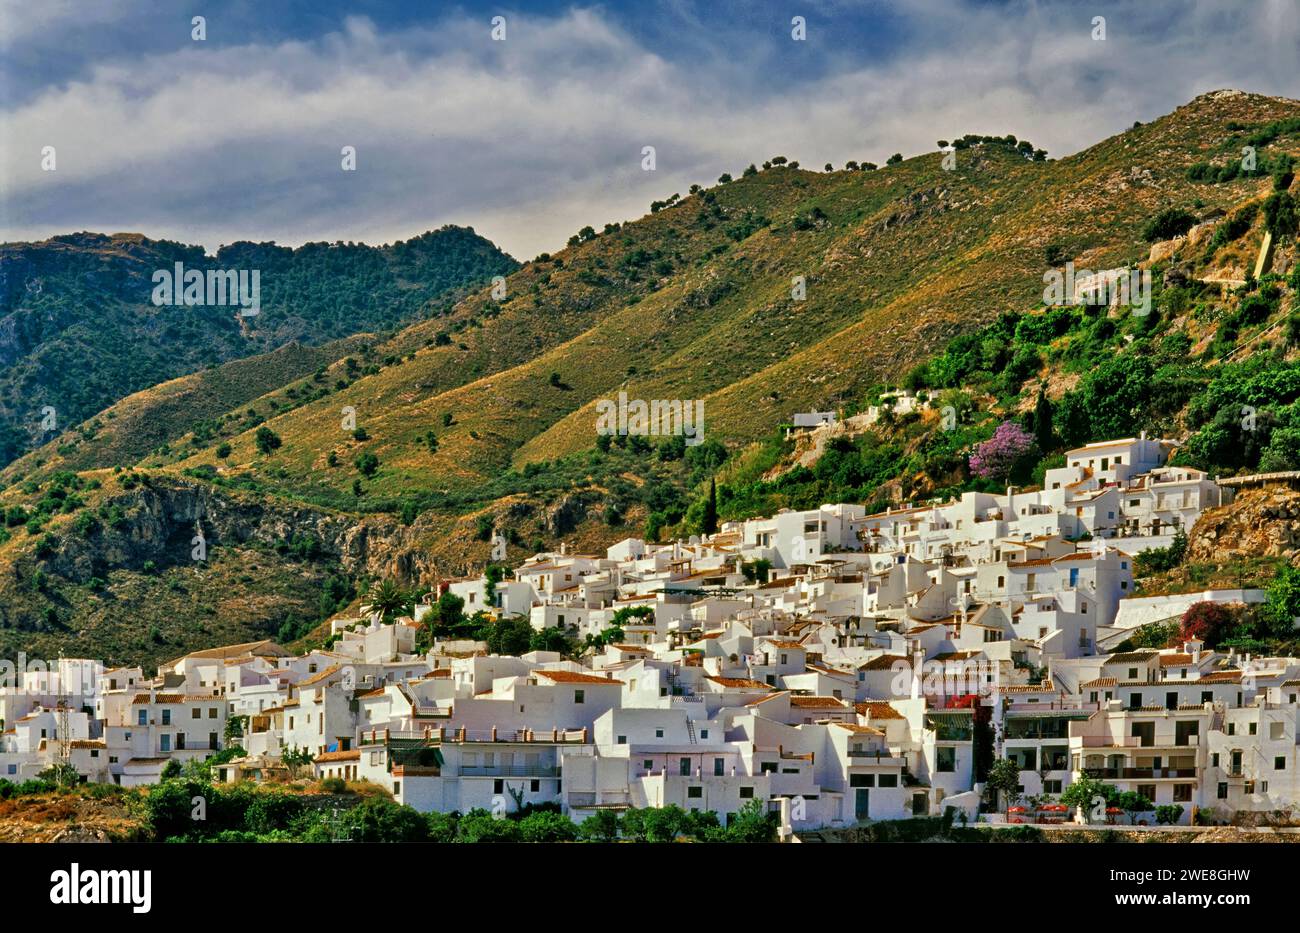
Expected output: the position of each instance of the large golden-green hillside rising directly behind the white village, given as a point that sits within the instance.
(783, 290)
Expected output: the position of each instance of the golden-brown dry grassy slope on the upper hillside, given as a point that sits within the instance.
(905, 259)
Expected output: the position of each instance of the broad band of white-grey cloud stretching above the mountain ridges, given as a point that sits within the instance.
(532, 138)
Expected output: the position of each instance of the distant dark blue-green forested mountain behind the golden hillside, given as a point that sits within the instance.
(80, 328)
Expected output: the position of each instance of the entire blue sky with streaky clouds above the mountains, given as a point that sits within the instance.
(528, 138)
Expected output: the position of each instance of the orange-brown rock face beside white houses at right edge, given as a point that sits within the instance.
(1260, 523)
